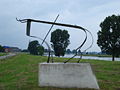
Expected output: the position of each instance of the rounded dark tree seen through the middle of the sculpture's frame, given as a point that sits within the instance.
(60, 41)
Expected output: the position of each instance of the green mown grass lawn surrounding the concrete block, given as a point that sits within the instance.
(21, 73)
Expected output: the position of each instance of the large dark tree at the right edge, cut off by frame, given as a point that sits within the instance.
(109, 36)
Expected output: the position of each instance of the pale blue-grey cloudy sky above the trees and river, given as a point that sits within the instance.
(85, 13)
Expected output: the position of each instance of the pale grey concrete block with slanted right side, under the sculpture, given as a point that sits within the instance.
(69, 75)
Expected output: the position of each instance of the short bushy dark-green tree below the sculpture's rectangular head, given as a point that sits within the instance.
(35, 48)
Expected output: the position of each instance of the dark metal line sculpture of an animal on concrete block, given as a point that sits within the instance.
(29, 21)
